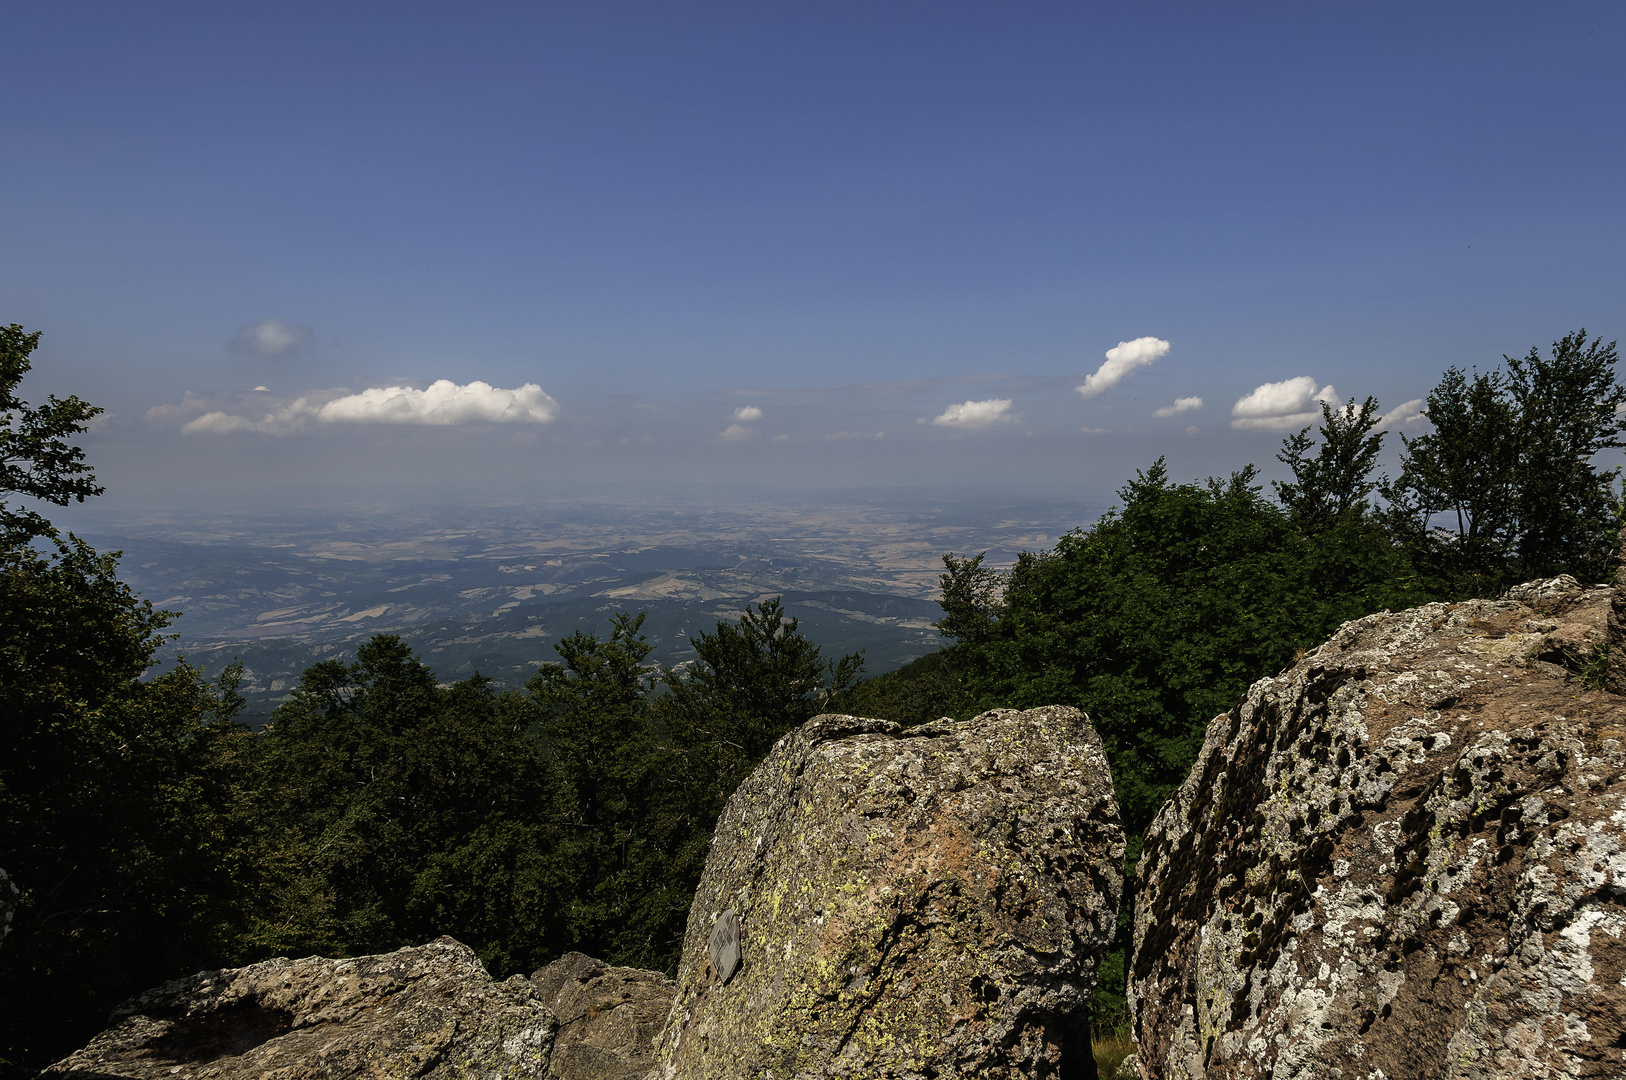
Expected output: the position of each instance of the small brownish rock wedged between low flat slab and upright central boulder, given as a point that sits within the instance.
(609, 1017)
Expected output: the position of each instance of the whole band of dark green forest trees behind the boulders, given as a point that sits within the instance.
(150, 834)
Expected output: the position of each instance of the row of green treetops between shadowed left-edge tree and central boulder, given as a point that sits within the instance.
(576, 817)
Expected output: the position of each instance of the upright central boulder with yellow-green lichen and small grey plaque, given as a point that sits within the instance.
(913, 904)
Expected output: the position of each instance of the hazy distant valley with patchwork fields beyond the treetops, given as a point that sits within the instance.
(493, 590)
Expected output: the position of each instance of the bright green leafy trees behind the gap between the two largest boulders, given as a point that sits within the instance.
(1162, 614)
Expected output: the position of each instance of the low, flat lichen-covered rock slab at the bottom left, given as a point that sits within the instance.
(428, 1012)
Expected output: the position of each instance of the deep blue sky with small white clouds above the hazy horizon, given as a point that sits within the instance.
(785, 246)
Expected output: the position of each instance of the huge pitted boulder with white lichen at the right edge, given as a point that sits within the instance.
(1402, 858)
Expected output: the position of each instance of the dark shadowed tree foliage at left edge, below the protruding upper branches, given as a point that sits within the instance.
(116, 801)
